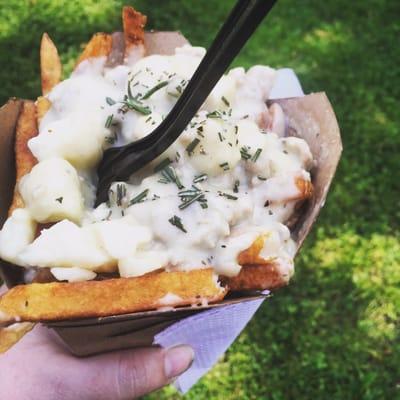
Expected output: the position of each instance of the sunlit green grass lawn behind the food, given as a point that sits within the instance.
(334, 333)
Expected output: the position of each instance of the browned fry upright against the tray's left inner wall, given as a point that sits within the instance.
(24, 159)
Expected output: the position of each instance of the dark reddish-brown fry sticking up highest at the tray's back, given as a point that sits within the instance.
(133, 23)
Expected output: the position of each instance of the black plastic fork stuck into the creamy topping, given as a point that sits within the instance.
(119, 163)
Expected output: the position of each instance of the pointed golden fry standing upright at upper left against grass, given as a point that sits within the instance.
(50, 64)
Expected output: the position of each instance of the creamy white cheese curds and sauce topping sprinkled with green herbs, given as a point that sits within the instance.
(228, 179)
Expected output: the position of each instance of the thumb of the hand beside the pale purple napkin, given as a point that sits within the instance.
(128, 374)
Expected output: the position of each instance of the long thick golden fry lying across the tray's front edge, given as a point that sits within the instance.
(60, 301)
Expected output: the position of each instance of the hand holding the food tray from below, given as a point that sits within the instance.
(39, 367)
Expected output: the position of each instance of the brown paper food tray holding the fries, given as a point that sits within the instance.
(310, 117)
